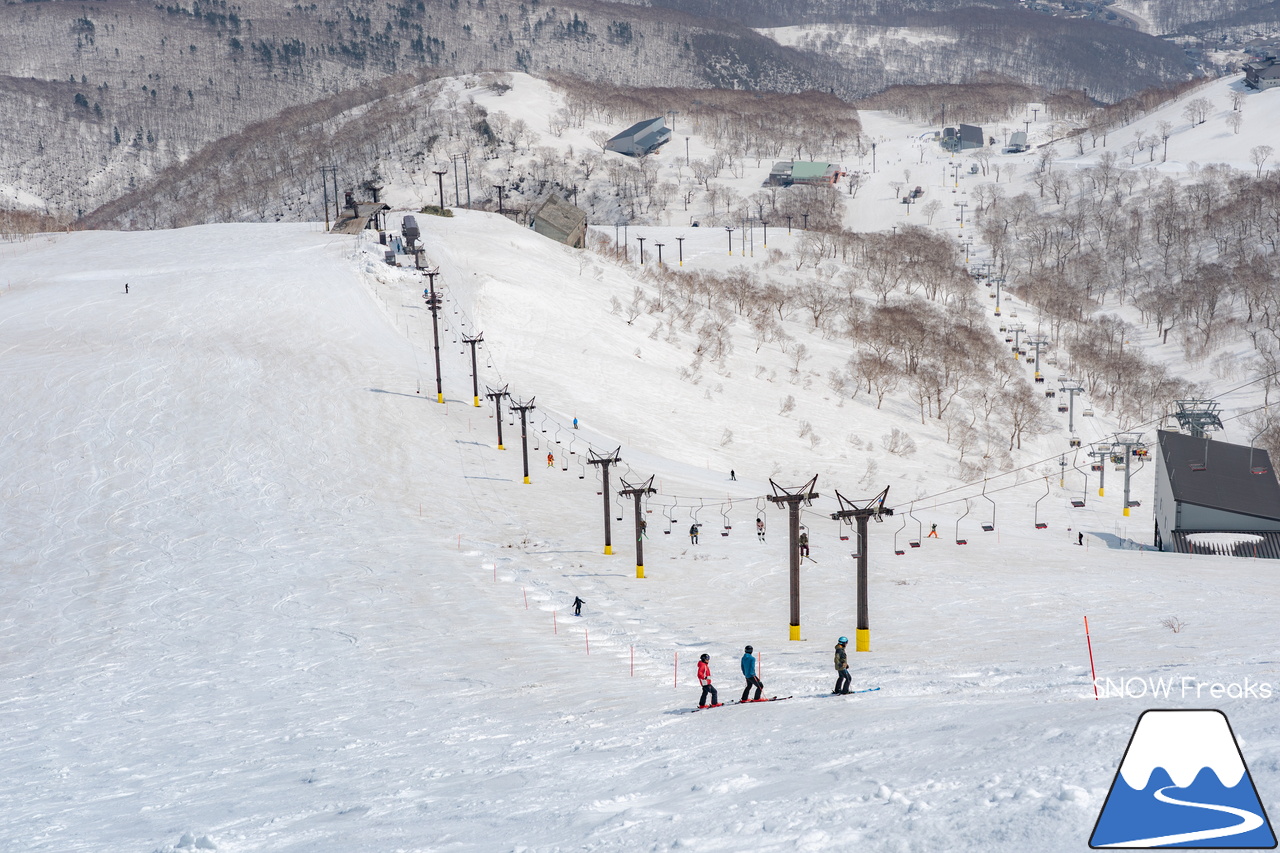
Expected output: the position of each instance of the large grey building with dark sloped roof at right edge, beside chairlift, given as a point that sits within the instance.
(1204, 486)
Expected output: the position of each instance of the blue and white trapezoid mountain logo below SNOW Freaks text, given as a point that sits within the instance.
(1183, 783)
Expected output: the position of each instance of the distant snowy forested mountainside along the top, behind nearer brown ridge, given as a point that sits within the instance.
(115, 93)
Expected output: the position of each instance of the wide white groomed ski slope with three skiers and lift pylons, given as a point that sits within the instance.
(262, 592)
